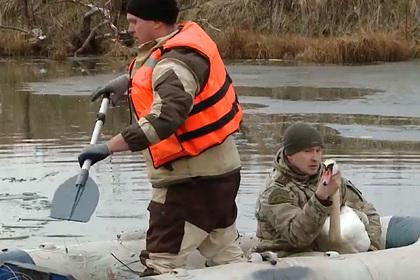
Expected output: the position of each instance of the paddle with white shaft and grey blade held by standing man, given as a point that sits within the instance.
(77, 197)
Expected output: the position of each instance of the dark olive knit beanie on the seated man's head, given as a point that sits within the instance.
(300, 136)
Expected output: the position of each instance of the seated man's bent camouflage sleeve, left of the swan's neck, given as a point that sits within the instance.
(298, 226)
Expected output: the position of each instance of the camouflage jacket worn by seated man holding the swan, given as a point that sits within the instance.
(290, 217)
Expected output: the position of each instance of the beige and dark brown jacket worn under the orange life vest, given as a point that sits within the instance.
(179, 75)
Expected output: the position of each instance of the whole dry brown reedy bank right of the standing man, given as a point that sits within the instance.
(325, 31)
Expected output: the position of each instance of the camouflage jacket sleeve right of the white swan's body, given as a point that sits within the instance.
(353, 198)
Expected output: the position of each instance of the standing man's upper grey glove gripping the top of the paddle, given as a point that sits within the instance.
(115, 88)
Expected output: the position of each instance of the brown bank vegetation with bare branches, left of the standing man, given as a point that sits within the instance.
(60, 28)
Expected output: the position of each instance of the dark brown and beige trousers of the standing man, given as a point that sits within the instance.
(197, 214)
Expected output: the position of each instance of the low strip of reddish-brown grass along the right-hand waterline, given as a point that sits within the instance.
(354, 48)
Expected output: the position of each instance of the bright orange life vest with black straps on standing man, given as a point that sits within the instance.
(216, 113)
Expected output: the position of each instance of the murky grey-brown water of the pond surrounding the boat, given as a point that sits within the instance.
(369, 115)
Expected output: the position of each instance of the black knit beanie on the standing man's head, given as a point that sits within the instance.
(160, 10)
